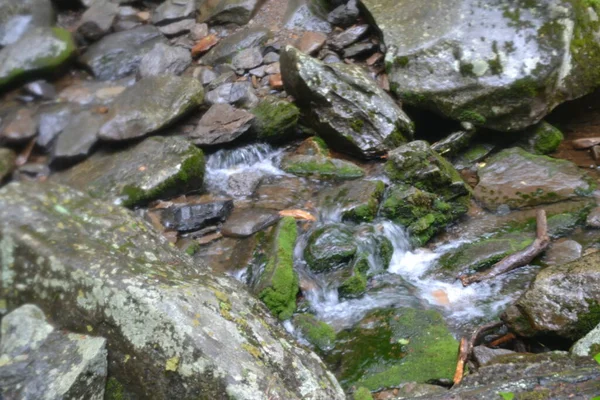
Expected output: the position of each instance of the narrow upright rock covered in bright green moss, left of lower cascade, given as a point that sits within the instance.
(277, 285)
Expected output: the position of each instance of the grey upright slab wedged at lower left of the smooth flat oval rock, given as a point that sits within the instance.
(78, 137)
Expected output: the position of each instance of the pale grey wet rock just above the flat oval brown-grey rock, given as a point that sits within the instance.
(164, 60)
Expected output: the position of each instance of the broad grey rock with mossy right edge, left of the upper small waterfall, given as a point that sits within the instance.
(158, 167)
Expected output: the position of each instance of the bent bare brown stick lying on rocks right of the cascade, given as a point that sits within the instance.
(518, 259)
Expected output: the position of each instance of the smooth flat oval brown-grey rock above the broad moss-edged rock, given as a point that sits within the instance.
(140, 109)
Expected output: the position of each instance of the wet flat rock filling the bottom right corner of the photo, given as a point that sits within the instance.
(553, 375)
